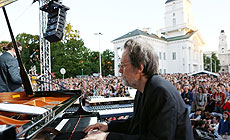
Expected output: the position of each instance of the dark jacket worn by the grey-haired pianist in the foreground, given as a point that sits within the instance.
(159, 114)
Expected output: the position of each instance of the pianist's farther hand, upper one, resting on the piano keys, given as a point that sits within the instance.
(99, 126)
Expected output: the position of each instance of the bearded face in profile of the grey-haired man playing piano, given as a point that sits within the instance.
(128, 71)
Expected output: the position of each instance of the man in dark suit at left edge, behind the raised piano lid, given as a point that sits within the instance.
(10, 79)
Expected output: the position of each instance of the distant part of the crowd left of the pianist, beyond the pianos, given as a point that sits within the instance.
(91, 86)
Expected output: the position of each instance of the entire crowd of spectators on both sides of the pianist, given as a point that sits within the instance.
(206, 96)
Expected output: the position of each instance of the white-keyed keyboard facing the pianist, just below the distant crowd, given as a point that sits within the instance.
(106, 111)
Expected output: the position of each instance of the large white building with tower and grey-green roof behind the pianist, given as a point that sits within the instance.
(179, 44)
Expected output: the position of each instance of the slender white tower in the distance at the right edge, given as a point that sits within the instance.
(223, 53)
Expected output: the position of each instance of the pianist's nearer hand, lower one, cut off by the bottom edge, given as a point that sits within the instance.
(96, 135)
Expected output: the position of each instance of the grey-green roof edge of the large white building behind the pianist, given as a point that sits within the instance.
(139, 32)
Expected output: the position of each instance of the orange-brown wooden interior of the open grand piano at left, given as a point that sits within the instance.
(47, 100)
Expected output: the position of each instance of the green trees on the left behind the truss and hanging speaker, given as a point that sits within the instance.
(69, 53)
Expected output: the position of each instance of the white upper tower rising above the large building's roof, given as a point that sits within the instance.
(178, 18)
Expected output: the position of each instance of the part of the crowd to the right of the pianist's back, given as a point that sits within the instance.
(207, 99)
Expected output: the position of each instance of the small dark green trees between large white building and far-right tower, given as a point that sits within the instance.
(213, 59)
